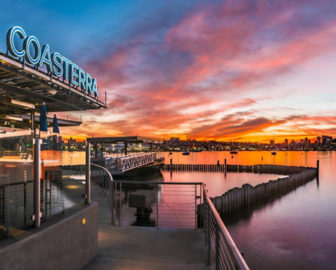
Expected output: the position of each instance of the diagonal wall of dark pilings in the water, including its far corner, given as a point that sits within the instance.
(249, 197)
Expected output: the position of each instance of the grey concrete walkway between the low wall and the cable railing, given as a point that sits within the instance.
(144, 247)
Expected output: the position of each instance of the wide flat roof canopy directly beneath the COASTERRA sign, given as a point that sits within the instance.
(25, 84)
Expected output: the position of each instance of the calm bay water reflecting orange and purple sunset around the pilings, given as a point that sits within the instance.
(296, 231)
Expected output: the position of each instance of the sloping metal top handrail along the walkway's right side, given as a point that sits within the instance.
(235, 251)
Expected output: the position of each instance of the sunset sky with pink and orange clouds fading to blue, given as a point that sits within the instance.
(225, 70)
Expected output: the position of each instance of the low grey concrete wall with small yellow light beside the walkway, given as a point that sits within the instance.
(67, 244)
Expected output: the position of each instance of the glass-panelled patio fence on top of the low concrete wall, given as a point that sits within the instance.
(17, 197)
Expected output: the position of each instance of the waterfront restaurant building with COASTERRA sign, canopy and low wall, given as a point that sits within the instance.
(40, 219)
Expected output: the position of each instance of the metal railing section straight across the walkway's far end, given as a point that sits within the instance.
(159, 204)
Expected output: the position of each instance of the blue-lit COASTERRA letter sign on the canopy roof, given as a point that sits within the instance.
(31, 51)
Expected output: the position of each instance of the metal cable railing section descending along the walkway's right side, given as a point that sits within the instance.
(222, 250)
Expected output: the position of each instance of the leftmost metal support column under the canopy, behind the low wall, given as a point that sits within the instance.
(37, 182)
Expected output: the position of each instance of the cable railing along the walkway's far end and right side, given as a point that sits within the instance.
(174, 205)
